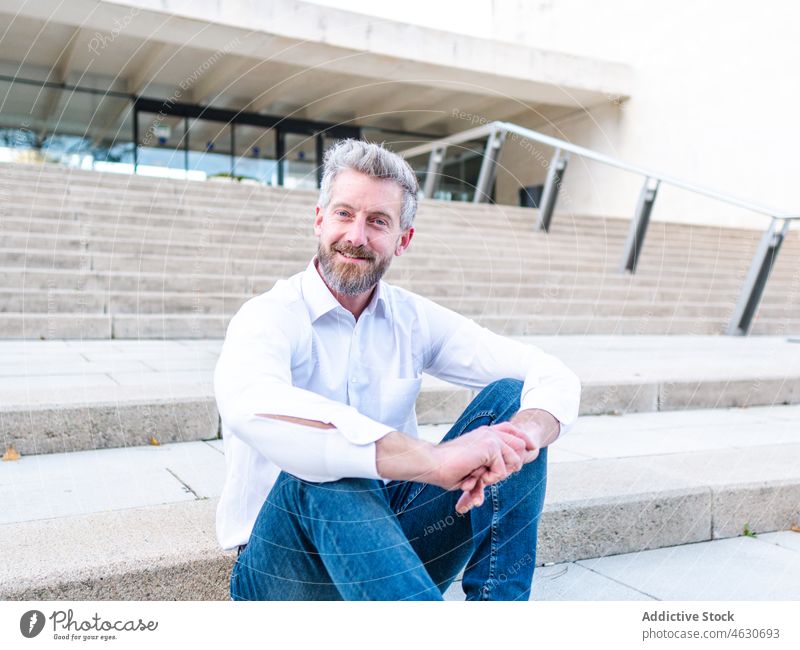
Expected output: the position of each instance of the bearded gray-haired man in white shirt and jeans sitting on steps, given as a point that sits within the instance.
(318, 378)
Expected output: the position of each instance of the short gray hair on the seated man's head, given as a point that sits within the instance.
(373, 160)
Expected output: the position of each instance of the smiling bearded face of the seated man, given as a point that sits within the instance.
(359, 232)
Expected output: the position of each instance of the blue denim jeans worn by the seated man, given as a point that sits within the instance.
(361, 539)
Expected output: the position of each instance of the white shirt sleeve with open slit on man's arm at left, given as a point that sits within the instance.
(253, 378)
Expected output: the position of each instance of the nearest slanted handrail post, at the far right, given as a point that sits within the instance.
(756, 280)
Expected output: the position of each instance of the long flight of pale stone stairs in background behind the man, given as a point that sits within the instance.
(91, 255)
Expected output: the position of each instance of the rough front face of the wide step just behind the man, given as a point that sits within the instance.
(70, 420)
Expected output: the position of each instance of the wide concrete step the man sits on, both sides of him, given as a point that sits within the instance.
(138, 523)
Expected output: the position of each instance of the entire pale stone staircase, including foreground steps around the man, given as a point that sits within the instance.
(108, 284)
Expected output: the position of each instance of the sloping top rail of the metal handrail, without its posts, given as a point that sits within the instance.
(563, 145)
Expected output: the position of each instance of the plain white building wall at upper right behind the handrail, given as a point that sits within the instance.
(714, 99)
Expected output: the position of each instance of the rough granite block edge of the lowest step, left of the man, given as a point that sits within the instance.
(159, 553)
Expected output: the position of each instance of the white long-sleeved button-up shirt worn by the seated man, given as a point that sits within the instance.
(295, 351)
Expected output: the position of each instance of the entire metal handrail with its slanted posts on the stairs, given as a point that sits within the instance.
(496, 132)
